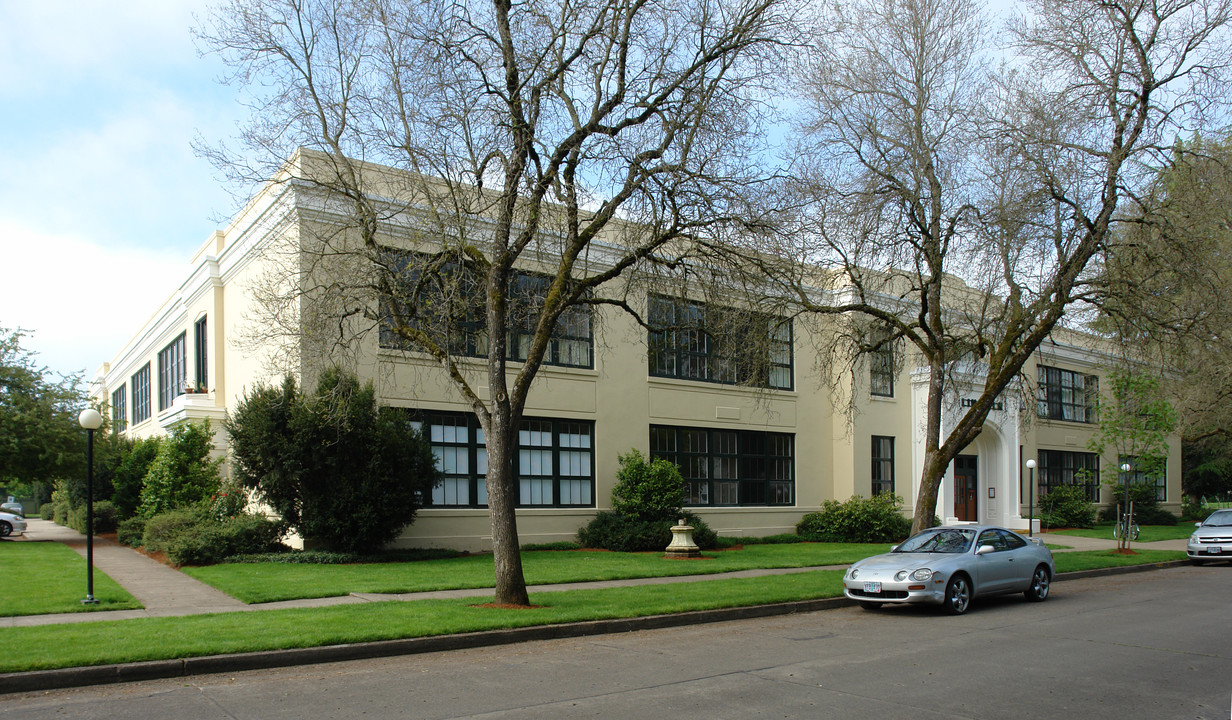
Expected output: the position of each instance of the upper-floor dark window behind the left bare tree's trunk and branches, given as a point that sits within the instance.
(449, 308)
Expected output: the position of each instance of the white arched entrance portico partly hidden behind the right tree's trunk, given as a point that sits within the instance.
(996, 454)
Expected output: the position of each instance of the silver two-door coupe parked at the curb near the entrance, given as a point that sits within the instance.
(952, 565)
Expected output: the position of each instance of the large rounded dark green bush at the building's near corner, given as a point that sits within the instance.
(339, 469)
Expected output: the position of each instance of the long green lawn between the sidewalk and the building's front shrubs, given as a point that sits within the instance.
(269, 581)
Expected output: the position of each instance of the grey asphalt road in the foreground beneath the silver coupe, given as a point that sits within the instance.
(1151, 645)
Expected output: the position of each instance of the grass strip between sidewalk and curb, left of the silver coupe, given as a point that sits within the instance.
(84, 644)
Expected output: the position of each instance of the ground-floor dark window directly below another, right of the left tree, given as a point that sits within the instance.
(730, 468)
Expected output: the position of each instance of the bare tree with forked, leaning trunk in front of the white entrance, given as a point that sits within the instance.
(962, 208)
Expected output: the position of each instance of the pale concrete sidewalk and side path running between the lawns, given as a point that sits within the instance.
(168, 592)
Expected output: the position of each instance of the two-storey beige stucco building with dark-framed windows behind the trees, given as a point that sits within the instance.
(755, 459)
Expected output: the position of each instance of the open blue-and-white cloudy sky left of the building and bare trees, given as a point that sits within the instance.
(103, 202)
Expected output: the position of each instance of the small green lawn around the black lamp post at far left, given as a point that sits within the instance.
(54, 581)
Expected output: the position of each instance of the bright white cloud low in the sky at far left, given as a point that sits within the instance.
(82, 300)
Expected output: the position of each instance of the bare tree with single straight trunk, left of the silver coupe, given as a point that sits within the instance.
(540, 152)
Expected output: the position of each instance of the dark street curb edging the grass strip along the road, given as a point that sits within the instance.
(73, 677)
